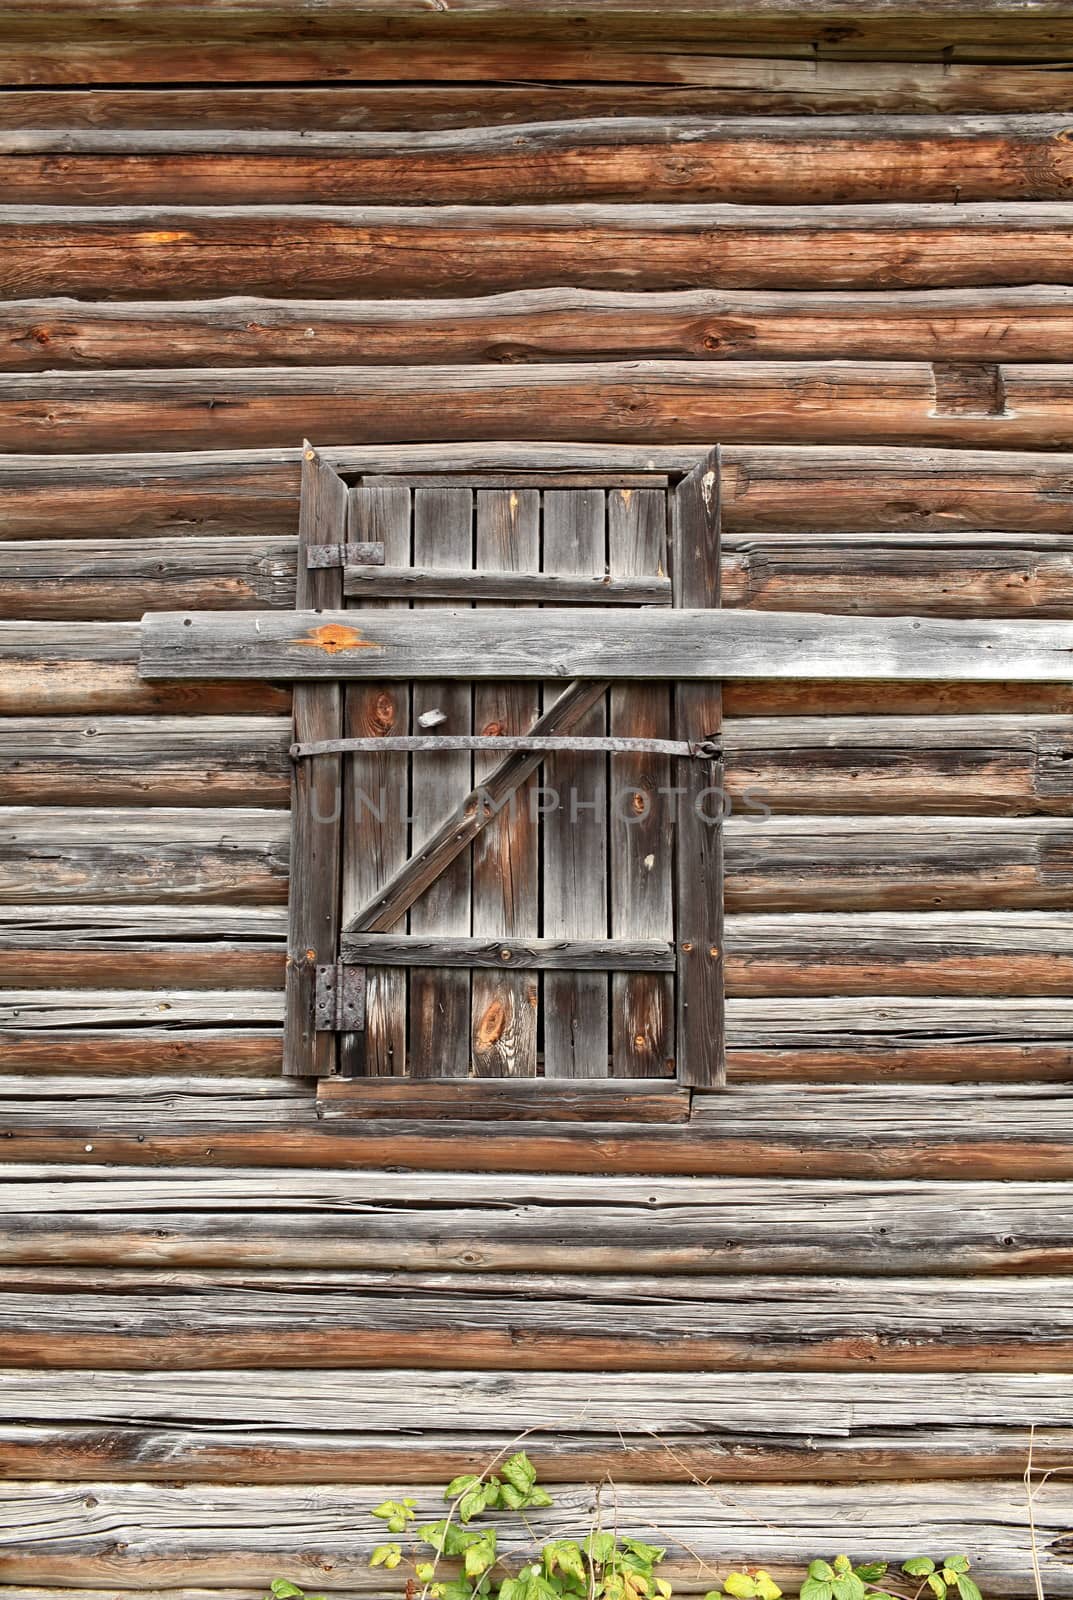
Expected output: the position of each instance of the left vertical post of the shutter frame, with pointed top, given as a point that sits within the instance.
(316, 794)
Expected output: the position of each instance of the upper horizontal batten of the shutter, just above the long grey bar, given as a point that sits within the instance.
(513, 586)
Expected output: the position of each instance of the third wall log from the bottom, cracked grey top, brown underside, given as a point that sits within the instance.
(330, 1319)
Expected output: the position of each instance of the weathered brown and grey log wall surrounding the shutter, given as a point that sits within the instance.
(828, 1308)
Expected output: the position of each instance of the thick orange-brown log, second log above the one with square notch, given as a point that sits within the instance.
(386, 252)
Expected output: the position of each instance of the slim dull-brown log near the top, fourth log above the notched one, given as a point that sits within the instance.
(704, 86)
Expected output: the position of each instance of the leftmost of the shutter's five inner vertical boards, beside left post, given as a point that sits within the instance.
(377, 801)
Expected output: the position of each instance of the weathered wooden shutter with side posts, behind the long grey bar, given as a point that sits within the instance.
(508, 879)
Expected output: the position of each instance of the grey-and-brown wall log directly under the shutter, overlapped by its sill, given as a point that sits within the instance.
(781, 1130)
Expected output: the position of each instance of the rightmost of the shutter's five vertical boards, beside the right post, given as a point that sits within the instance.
(640, 822)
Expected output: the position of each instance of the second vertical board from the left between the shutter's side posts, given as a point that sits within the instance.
(441, 999)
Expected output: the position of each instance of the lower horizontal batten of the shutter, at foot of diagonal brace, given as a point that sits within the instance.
(508, 951)
